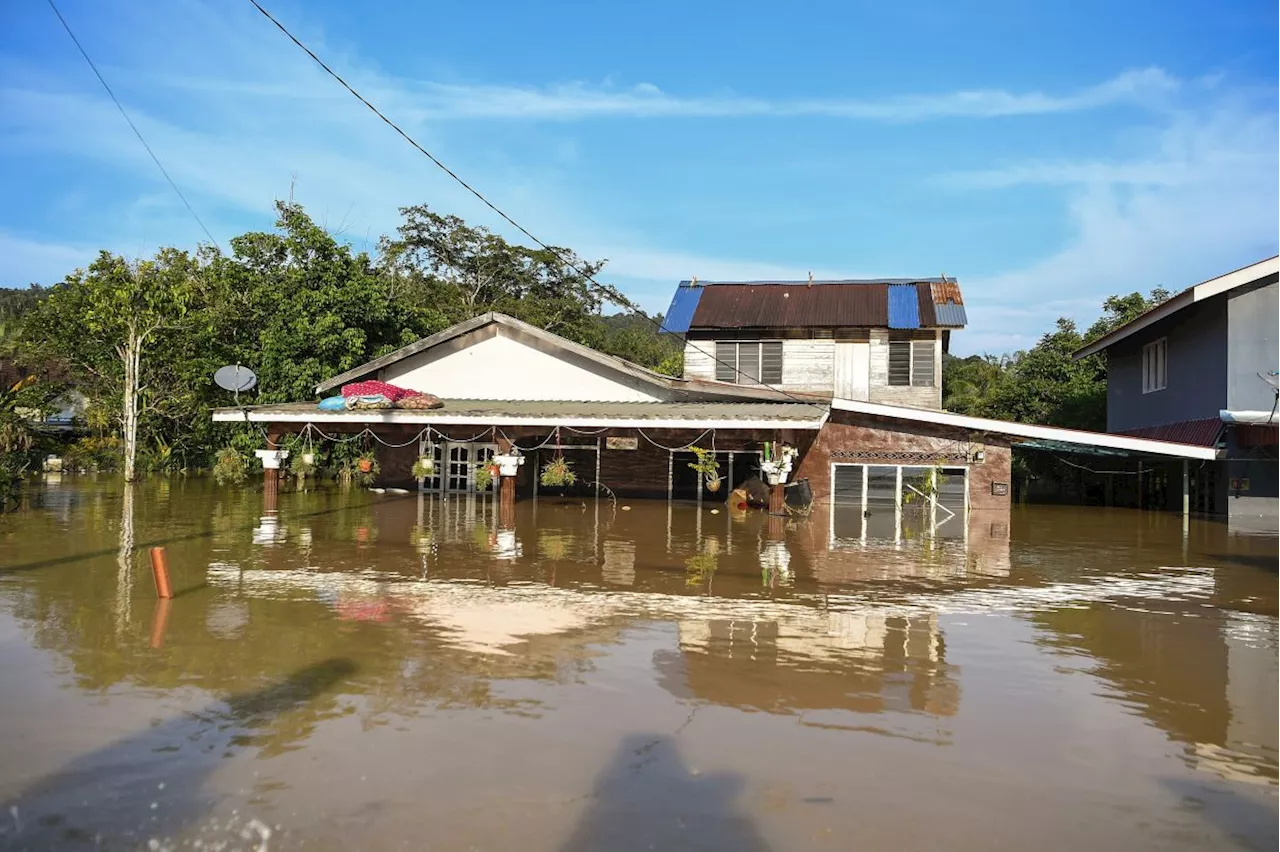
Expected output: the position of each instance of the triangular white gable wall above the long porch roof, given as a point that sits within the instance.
(500, 368)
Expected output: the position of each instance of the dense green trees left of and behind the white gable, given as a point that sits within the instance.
(295, 305)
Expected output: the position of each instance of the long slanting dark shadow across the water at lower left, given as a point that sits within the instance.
(152, 785)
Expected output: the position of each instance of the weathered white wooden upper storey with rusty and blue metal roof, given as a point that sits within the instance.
(876, 341)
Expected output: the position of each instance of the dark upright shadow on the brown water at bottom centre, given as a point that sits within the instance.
(648, 799)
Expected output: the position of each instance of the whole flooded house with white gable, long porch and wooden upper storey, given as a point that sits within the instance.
(829, 391)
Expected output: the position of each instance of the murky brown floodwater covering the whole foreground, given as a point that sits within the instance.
(383, 671)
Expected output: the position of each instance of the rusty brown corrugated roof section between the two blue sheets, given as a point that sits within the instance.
(797, 306)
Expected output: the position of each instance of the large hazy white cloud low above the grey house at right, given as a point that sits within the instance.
(1204, 204)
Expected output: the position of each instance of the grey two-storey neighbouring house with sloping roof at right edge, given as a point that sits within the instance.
(1200, 369)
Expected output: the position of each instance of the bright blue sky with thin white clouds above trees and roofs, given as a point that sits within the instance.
(1046, 154)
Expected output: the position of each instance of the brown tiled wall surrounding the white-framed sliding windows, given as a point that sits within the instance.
(848, 432)
